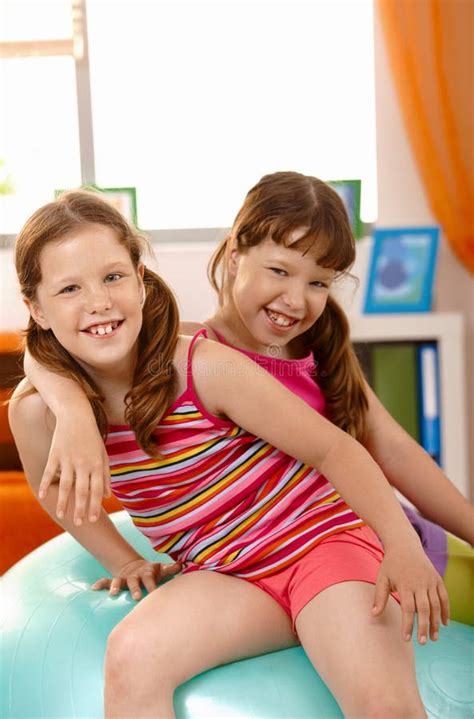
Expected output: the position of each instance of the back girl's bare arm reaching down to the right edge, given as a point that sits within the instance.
(414, 473)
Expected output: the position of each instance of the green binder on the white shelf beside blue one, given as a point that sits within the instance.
(395, 382)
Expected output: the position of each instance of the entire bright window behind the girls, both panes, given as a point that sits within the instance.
(192, 103)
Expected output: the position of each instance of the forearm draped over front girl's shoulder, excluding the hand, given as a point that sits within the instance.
(59, 393)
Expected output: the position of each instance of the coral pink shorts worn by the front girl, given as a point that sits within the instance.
(354, 555)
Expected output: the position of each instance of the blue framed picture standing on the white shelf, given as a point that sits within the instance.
(402, 268)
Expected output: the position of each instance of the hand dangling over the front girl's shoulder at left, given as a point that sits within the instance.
(78, 462)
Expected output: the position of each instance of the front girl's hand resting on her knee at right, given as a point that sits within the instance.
(420, 588)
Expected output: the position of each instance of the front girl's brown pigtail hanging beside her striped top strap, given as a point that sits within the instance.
(155, 377)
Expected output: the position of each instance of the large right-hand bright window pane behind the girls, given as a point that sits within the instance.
(193, 102)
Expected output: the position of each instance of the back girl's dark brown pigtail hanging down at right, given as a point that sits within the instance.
(339, 374)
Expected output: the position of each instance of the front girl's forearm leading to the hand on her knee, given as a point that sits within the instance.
(362, 484)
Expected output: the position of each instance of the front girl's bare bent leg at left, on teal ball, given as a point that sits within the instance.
(193, 623)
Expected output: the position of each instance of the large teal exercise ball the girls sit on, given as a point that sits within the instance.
(55, 631)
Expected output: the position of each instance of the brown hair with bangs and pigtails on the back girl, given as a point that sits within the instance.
(279, 204)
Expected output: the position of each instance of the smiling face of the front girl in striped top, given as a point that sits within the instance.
(90, 296)
